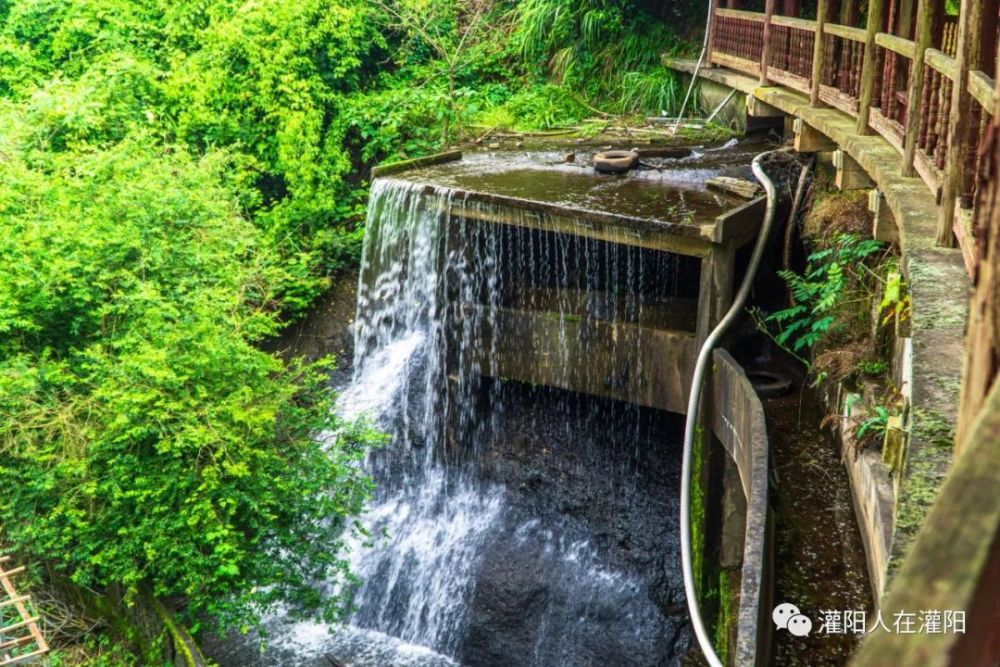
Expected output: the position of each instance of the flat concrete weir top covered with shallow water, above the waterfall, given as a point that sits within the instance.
(662, 205)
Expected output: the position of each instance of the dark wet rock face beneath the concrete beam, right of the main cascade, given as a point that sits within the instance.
(585, 567)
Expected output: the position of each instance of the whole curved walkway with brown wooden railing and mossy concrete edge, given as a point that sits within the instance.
(902, 96)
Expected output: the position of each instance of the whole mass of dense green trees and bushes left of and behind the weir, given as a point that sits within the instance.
(178, 178)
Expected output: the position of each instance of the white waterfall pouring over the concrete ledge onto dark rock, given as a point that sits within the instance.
(434, 277)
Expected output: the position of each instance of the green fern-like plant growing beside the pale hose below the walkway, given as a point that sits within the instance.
(831, 275)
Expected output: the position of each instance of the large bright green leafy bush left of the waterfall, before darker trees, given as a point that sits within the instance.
(144, 439)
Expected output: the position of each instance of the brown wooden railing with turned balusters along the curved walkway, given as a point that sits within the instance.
(903, 89)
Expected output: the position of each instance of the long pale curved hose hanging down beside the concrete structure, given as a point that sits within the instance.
(690, 426)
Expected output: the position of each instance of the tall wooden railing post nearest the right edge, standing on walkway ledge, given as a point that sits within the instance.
(966, 58)
